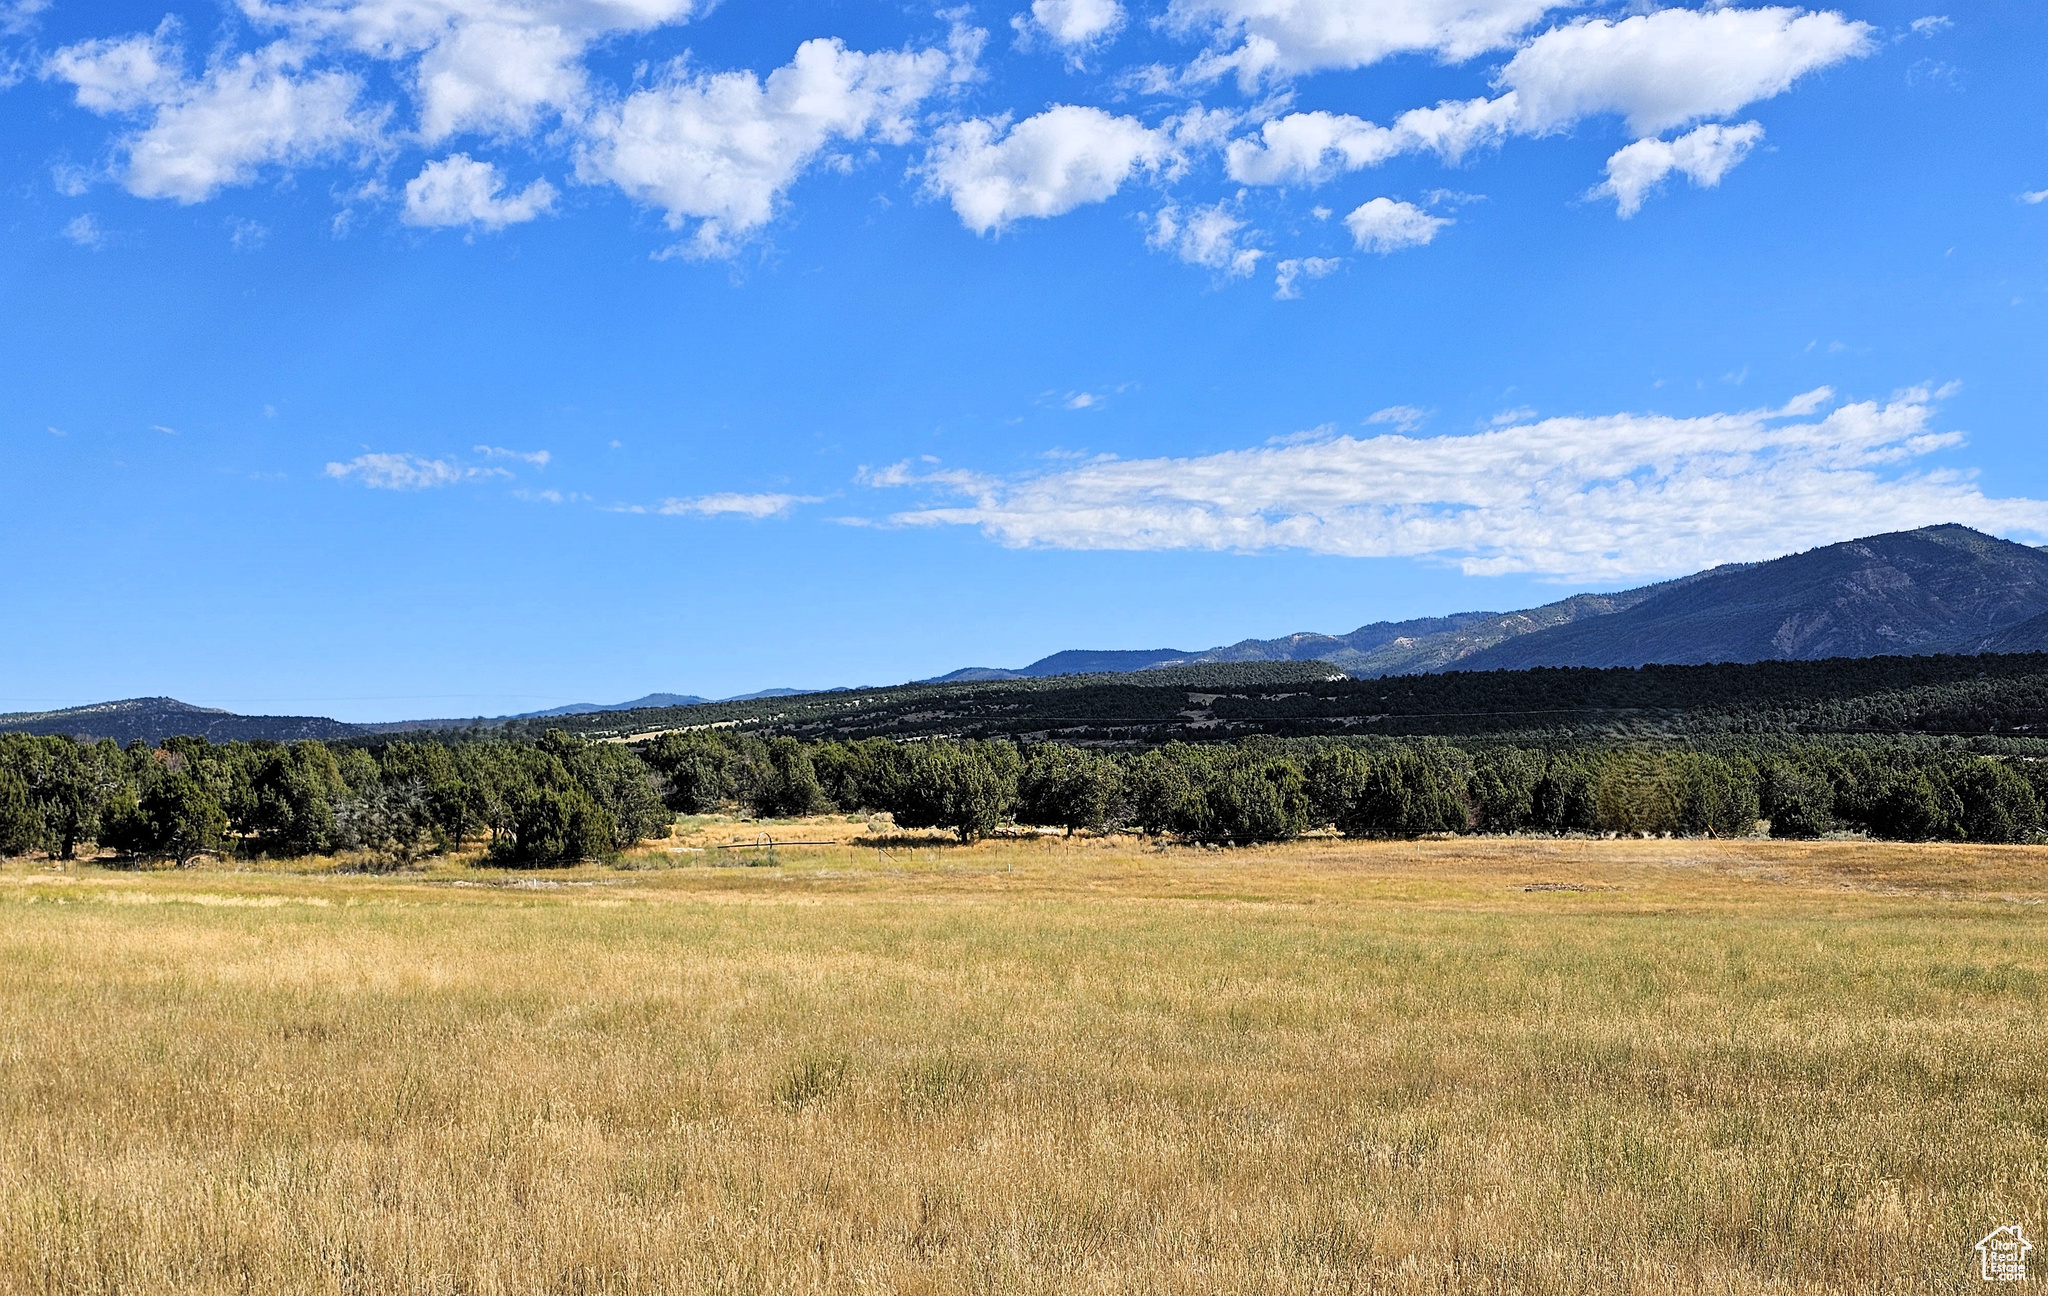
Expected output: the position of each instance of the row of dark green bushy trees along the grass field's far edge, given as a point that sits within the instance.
(564, 800)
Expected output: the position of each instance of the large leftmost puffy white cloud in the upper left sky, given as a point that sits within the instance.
(222, 128)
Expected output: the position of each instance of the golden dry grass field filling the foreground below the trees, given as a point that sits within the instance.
(1031, 1068)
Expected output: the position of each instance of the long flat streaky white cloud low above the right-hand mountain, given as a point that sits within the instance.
(1572, 499)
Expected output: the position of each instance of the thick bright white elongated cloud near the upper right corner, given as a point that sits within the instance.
(1674, 67)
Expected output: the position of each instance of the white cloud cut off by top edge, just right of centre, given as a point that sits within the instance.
(1267, 40)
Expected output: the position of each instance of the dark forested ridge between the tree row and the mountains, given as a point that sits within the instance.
(1992, 695)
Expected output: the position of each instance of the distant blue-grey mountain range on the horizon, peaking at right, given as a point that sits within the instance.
(1912, 593)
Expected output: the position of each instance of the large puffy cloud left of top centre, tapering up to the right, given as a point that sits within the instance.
(724, 148)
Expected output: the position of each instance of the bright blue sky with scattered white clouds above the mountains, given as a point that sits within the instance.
(460, 357)
